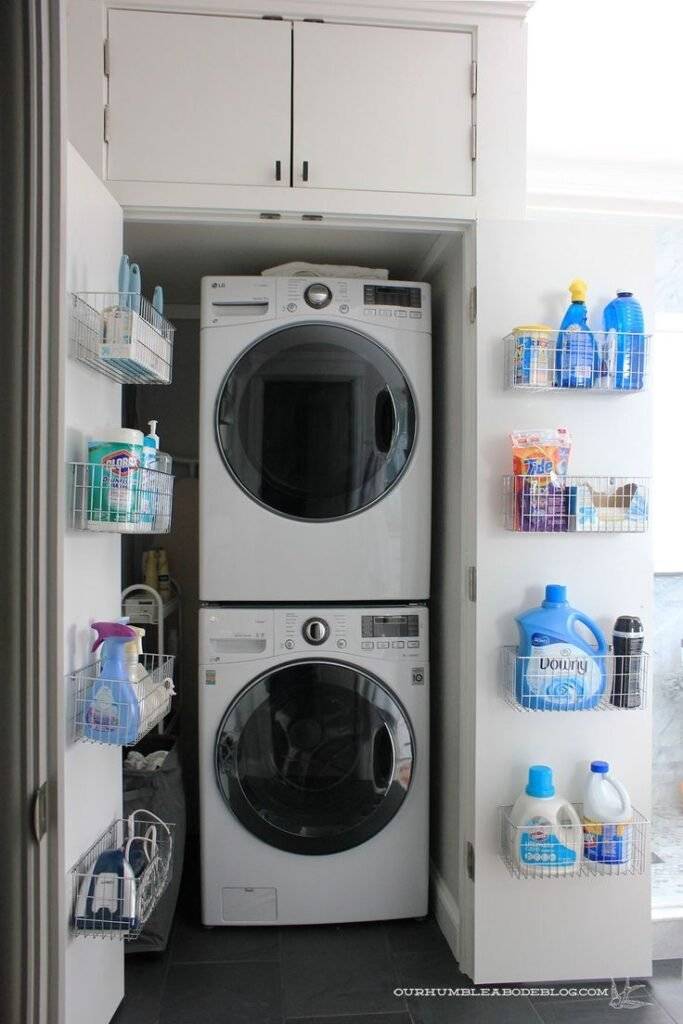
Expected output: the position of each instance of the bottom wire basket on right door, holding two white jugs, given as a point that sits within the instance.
(569, 849)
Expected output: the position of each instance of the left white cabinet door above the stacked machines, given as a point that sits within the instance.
(199, 99)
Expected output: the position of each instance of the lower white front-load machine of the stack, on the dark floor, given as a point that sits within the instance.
(314, 764)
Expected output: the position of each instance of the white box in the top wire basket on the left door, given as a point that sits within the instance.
(136, 346)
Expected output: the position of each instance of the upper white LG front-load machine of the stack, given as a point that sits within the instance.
(315, 441)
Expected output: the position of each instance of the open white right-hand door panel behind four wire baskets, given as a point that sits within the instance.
(573, 928)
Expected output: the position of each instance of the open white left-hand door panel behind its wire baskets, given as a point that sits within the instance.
(93, 587)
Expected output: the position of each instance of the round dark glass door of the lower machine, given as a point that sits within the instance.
(315, 757)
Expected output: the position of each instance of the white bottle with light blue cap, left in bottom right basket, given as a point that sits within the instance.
(546, 833)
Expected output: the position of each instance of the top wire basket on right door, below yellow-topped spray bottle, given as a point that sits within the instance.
(610, 363)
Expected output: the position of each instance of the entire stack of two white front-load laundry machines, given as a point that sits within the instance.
(315, 550)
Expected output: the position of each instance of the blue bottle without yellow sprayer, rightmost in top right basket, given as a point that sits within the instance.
(625, 343)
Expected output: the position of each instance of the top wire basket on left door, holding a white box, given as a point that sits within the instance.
(122, 336)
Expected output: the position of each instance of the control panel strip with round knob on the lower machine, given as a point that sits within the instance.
(393, 633)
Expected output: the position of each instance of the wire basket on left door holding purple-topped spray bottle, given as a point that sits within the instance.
(102, 717)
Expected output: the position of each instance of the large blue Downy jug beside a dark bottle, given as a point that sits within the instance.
(558, 669)
